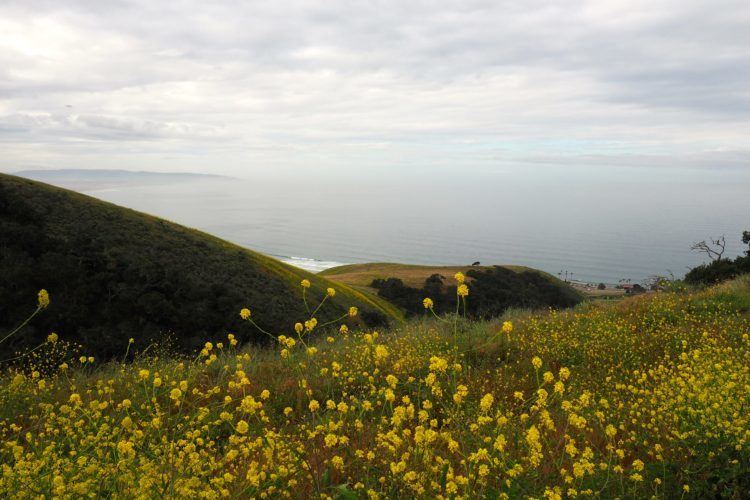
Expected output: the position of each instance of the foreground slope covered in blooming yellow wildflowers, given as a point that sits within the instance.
(644, 397)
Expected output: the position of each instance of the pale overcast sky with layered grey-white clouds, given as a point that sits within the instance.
(383, 87)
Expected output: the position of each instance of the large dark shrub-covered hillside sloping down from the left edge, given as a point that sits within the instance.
(114, 273)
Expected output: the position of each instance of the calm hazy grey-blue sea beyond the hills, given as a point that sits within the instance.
(626, 226)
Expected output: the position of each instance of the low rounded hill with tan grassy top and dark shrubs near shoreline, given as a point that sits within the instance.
(494, 288)
